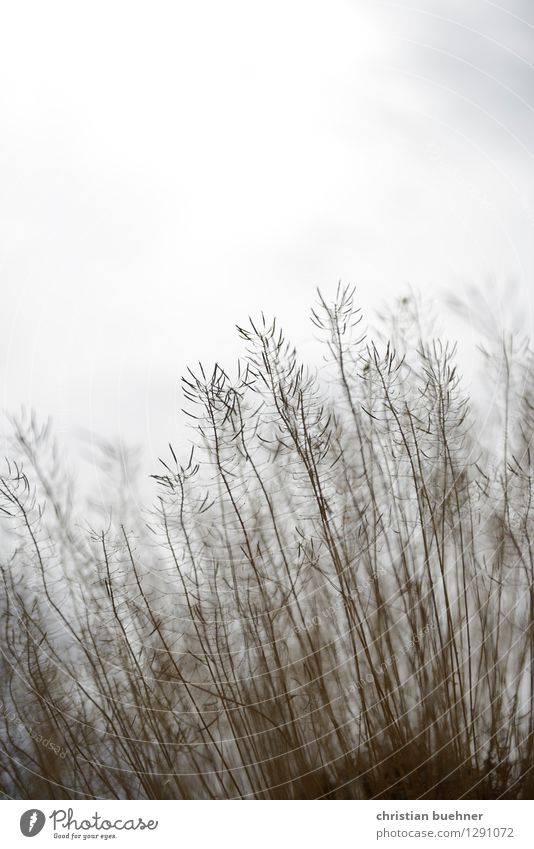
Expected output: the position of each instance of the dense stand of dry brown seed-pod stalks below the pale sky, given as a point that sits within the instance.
(333, 596)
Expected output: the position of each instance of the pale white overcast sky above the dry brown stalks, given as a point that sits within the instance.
(168, 168)
